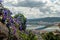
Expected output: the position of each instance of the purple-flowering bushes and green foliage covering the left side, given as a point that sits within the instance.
(16, 26)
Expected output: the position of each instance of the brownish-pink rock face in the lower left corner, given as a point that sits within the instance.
(3, 32)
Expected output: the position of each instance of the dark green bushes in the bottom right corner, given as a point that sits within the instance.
(50, 36)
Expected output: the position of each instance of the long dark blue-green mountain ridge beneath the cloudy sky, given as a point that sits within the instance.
(47, 19)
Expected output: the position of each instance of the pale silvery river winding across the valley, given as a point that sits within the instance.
(42, 27)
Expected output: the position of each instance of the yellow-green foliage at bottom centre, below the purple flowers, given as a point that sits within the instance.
(25, 36)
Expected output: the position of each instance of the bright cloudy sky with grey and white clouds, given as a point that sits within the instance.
(34, 8)
